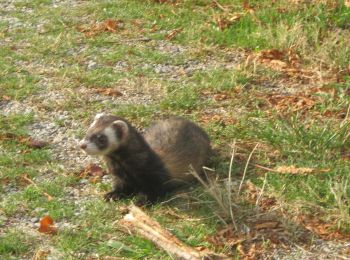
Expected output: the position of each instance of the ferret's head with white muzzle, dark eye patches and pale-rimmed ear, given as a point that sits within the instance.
(104, 135)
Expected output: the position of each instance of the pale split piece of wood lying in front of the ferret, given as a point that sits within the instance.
(137, 222)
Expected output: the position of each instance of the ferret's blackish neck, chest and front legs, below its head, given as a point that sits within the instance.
(138, 170)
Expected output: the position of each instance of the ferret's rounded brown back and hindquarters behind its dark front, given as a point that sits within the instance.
(181, 145)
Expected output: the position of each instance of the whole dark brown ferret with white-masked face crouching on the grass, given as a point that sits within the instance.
(152, 164)
